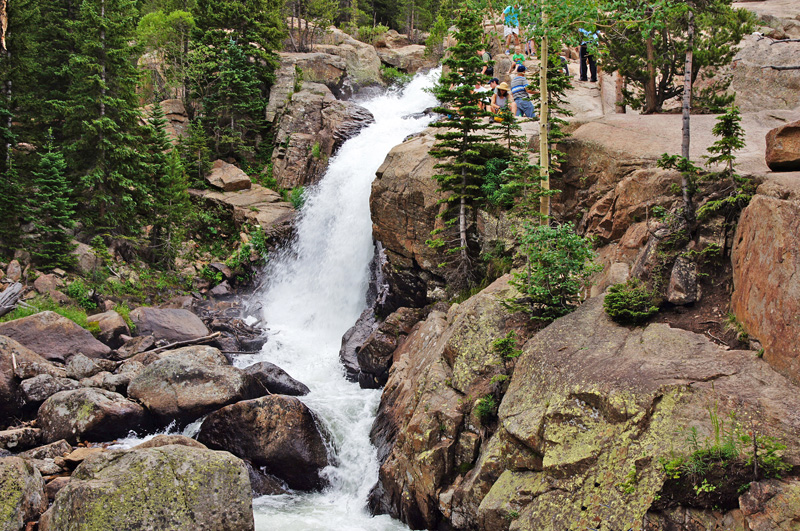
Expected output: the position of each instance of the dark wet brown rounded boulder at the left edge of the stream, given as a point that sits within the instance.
(276, 432)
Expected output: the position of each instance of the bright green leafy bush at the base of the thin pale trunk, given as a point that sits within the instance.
(558, 264)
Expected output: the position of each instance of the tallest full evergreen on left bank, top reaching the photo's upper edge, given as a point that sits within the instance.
(102, 116)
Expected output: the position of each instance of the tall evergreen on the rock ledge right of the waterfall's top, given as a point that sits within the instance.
(460, 145)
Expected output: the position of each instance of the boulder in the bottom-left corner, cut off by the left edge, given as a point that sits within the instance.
(23, 497)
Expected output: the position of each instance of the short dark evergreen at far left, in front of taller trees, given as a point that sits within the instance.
(51, 210)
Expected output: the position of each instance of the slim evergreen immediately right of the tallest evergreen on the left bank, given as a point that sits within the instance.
(169, 200)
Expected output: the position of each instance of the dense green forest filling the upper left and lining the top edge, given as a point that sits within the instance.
(83, 146)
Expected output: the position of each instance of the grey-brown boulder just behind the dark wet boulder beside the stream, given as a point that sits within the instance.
(184, 385)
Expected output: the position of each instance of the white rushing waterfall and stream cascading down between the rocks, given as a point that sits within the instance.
(314, 295)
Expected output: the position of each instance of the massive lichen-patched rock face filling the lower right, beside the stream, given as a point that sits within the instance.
(592, 411)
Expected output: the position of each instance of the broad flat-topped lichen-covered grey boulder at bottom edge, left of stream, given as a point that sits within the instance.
(167, 488)
